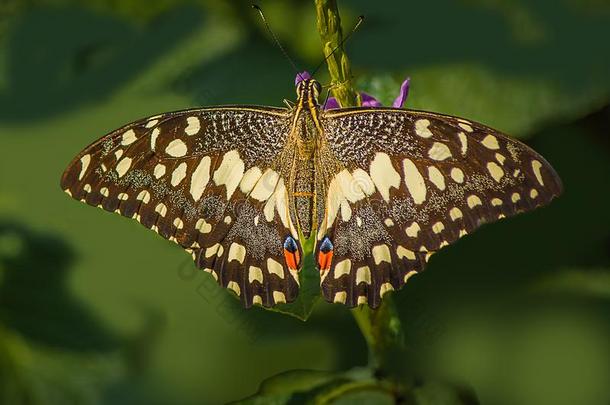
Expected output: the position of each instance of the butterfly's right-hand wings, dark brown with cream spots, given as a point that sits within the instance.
(407, 183)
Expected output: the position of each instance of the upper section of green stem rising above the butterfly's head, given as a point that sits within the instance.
(329, 28)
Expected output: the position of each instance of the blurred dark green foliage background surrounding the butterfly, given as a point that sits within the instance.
(94, 309)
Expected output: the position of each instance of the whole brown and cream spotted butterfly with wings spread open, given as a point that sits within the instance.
(245, 188)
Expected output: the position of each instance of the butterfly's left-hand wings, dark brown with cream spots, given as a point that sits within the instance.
(210, 180)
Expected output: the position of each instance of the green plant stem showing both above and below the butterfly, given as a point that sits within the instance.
(381, 328)
